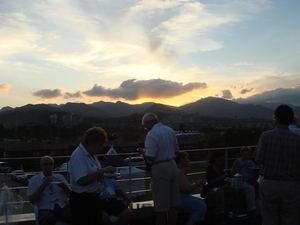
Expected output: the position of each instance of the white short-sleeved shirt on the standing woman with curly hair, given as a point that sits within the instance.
(82, 164)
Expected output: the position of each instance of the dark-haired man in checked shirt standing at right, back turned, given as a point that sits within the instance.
(278, 153)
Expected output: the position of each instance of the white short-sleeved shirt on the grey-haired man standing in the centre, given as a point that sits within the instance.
(161, 143)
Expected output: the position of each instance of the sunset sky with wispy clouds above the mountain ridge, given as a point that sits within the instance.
(172, 52)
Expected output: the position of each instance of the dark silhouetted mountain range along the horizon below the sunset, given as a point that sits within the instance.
(212, 107)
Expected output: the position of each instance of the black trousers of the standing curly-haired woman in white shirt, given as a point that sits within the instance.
(86, 208)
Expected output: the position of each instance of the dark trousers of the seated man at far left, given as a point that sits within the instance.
(49, 217)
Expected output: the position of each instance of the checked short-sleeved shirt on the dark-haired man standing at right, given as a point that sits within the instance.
(279, 152)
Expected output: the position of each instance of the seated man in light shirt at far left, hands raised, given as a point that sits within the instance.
(47, 190)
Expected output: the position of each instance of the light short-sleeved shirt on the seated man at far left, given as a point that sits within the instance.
(52, 193)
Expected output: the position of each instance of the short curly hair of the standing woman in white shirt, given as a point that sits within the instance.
(94, 135)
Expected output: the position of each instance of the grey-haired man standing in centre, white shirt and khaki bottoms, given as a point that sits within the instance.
(161, 145)
